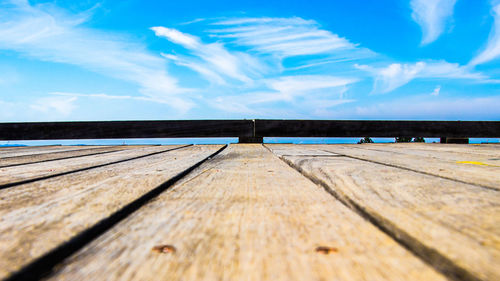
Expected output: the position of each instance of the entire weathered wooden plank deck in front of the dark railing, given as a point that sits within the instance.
(251, 212)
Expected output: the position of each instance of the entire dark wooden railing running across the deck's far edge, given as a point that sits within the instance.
(248, 130)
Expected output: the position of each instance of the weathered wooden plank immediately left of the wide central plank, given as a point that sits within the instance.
(37, 217)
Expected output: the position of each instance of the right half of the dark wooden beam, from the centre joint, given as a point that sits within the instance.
(336, 128)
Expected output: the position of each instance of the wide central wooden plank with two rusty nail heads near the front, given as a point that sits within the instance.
(245, 215)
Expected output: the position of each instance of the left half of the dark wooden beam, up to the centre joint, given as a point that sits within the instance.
(126, 129)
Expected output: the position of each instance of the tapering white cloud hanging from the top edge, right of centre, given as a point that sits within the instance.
(432, 16)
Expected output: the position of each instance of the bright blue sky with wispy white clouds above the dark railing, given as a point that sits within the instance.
(136, 60)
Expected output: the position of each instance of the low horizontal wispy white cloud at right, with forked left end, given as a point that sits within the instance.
(396, 75)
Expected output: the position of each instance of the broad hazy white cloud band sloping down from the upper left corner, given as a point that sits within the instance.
(48, 33)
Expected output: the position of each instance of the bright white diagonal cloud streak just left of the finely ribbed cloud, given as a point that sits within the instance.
(235, 65)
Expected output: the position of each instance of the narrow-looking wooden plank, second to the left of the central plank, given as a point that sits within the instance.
(10, 176)
